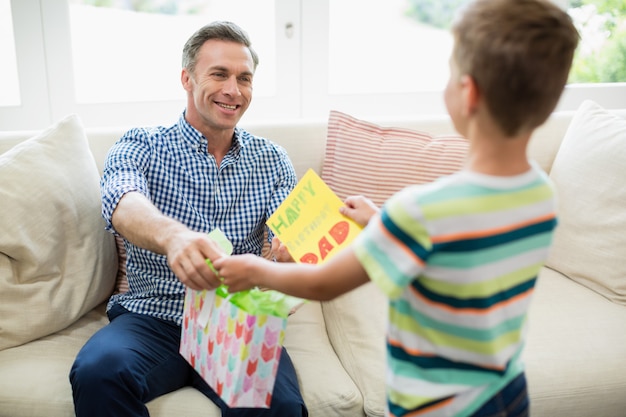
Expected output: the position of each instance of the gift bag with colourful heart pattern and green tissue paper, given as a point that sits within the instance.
(234, 341)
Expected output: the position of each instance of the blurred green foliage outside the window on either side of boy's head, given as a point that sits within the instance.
(601, 56)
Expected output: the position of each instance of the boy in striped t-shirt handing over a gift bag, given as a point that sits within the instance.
(458, 258)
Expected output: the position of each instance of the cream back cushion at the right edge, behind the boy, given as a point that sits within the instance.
(589, 172)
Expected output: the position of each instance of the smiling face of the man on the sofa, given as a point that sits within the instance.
(220, 89)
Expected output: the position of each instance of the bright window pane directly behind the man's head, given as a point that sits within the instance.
(131, 51)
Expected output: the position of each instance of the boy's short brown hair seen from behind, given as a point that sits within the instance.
(519, 52)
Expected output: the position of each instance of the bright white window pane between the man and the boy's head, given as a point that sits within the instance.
(385, 50)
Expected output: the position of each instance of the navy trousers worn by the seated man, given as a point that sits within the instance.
(135, 359)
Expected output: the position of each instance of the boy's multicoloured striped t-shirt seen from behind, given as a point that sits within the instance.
(458, 259)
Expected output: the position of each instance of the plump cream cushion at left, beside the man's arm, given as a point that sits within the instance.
(56, 260)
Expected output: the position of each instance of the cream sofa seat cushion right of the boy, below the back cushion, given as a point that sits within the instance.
(574, 354)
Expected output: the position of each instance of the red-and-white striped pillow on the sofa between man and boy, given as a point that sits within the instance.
(375, 161)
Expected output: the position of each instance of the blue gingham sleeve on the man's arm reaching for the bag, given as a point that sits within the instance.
(124, 169)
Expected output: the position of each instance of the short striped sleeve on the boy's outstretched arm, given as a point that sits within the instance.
(395, 244)
